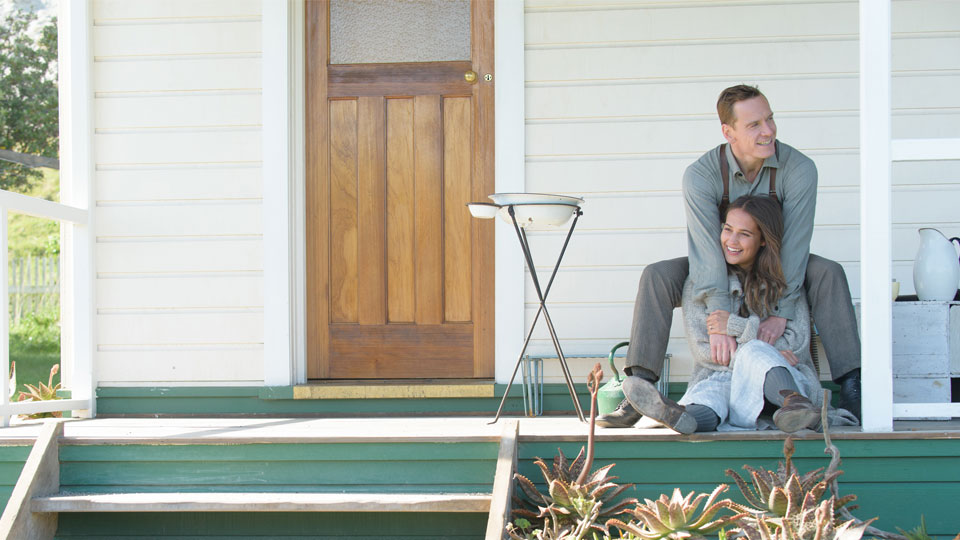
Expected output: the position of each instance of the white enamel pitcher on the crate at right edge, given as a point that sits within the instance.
(936, 270)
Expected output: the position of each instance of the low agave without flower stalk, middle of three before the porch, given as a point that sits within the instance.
(678, 517)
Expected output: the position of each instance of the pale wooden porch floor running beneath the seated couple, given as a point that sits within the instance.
(411, 429)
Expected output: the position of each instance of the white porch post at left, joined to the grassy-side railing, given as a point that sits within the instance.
(78, 292)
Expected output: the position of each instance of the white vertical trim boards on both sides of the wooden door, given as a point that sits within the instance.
(283, 142)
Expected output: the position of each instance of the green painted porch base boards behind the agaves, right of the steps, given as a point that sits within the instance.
(897, 480)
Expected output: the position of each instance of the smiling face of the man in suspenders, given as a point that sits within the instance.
(753, 131)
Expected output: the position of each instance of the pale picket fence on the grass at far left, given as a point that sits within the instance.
(34, 285)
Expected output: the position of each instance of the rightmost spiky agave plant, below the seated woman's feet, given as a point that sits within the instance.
(782, 493)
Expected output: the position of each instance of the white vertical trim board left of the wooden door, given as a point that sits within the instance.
(284, 347)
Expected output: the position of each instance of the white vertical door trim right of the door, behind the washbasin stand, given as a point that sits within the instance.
(509, 169)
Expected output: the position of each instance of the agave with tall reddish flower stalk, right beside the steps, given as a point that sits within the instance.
(577, 500)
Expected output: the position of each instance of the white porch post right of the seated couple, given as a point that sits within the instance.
(875, 216)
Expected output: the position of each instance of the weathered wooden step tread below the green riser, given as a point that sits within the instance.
(263, 502)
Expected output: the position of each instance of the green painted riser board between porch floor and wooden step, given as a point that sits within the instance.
(465, 467)
